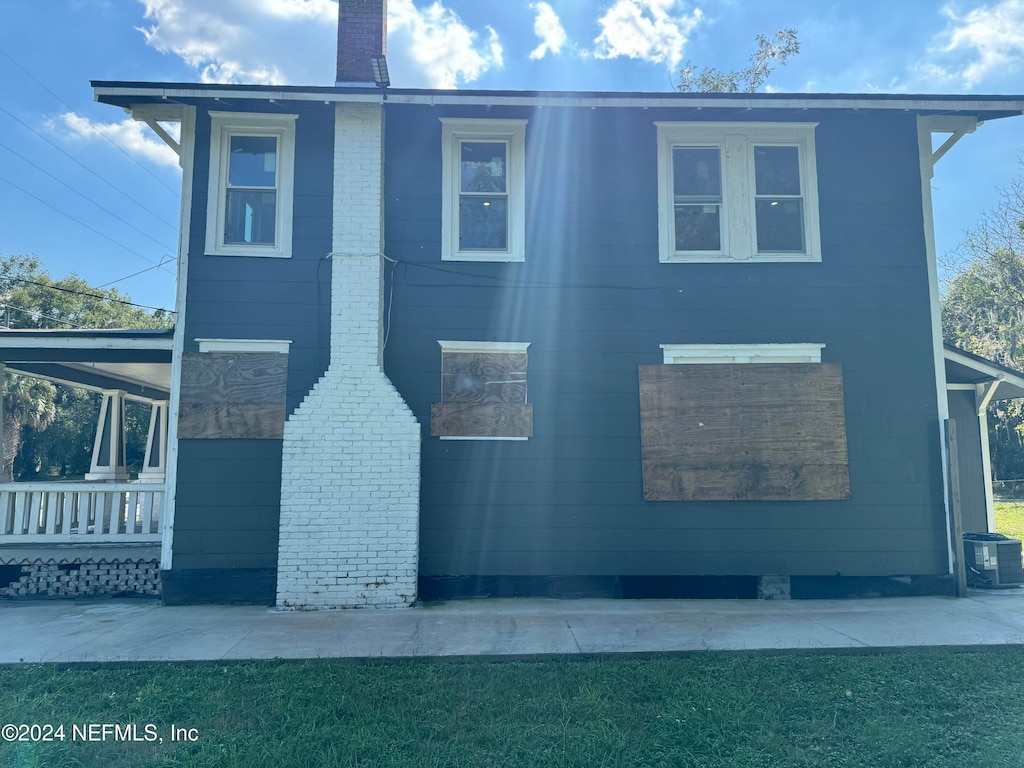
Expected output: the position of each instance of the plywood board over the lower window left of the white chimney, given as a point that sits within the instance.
(233, 396)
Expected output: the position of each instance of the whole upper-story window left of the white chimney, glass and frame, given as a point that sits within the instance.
(249, 211)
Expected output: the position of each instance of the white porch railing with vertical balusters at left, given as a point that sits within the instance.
(80, 513)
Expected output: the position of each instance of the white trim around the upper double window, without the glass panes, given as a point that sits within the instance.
(737, 142)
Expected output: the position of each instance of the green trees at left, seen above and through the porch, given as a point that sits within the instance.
(34, 439)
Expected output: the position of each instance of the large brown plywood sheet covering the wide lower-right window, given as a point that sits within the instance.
(775, 432)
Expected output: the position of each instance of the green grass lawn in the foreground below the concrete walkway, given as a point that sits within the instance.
(909, 709)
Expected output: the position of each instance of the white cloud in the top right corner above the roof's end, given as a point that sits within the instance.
(986, 41)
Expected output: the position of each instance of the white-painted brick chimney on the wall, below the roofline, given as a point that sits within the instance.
(351, 478)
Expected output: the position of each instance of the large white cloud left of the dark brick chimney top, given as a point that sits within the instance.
(250, 41)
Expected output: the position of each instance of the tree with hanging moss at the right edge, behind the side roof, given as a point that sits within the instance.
(984, 313)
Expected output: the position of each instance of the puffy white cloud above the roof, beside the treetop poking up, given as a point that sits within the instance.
(651, 30)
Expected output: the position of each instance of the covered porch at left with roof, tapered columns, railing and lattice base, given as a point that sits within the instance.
(102, 535)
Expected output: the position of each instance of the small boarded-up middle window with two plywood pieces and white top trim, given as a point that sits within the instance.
(484, 392)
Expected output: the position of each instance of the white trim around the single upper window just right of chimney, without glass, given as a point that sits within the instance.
(455, 131)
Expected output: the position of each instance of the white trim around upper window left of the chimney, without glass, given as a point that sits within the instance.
(224, 125)
